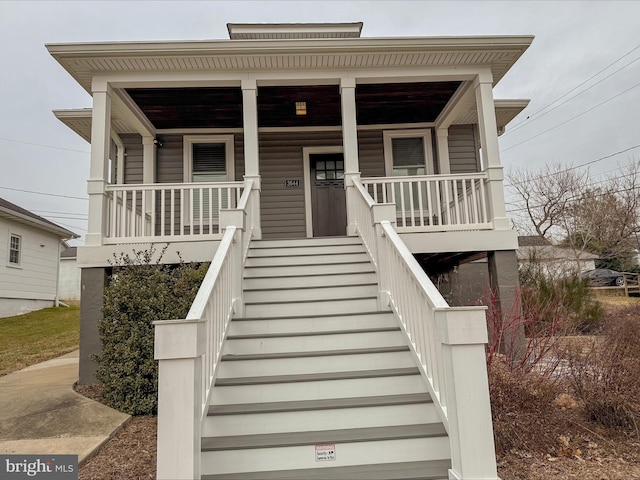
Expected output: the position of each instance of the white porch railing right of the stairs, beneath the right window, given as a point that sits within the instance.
(434, 202)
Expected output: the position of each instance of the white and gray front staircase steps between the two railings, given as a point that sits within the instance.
(315, 382)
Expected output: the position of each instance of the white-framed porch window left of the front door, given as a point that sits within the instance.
(208, 159)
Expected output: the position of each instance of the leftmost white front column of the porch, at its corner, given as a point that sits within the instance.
(99, 168)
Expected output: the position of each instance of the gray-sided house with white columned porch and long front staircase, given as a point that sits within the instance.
(311, 165)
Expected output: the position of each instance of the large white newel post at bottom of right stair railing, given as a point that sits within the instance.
(462, 333)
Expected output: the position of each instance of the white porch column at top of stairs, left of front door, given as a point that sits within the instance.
(251, 147)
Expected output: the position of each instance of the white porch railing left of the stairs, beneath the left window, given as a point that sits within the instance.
(167, 211)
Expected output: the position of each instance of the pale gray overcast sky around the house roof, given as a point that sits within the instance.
(589, 50)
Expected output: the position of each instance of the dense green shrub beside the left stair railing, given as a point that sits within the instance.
(139, 293)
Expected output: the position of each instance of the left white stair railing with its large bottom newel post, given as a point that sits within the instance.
(189, 350)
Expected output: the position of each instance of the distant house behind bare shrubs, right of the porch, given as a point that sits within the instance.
(552, 260)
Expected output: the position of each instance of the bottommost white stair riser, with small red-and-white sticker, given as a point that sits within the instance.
(283, 459)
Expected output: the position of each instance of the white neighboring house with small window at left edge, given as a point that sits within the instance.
(29, 248)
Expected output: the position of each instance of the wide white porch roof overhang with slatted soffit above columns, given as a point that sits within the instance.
(84, 60)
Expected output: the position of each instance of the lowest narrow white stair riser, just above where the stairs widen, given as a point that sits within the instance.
(305, 307)
